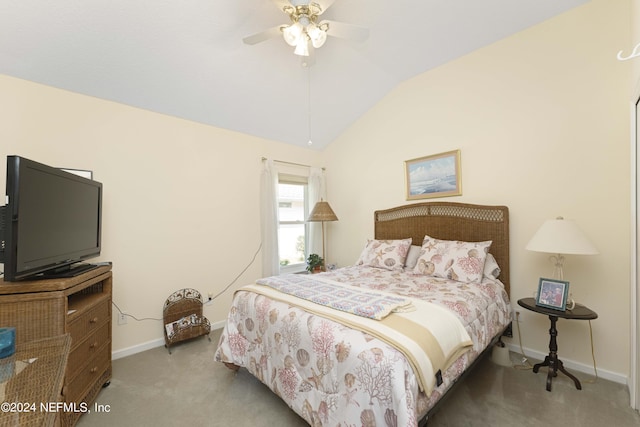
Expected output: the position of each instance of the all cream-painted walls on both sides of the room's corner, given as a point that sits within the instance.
(541, 118)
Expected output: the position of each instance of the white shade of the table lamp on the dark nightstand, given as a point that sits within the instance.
(561, 236)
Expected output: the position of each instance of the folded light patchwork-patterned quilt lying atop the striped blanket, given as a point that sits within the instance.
(361, 302)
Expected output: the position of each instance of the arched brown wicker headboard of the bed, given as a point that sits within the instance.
(450, 221)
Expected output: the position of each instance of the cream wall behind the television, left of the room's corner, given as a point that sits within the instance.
(181, 200)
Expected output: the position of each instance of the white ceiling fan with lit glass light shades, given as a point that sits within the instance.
(306, 32)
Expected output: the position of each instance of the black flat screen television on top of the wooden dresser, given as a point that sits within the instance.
(52, 221)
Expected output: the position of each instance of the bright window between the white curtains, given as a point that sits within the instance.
(292, 229)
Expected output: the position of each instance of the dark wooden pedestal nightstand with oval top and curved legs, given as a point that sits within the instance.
(579, 312)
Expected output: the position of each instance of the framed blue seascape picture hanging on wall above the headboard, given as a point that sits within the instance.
(437, 175)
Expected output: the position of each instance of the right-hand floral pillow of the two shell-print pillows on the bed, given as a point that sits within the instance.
(452, 259)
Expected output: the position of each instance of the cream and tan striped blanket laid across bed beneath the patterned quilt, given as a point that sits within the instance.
(431, 337)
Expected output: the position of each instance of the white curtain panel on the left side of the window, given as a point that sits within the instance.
(269, 219)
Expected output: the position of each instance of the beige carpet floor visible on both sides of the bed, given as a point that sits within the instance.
(188, 387)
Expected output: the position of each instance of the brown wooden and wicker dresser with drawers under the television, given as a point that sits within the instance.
(79, 306)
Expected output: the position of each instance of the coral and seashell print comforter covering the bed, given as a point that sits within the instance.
(335, 376)
